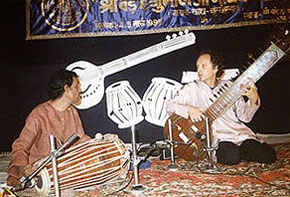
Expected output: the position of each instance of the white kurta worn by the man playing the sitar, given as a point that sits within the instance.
(228, 127)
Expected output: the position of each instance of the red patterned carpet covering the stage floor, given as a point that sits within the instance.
(245, 179)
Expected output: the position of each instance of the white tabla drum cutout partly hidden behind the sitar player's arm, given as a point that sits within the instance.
(155, 99)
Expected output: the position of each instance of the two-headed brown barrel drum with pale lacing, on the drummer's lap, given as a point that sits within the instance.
(98, 161)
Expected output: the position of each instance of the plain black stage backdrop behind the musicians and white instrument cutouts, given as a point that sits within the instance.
(26, 65)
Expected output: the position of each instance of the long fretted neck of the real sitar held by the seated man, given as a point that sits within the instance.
(232, 93)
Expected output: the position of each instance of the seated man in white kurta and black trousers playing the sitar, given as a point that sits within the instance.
(235, 141)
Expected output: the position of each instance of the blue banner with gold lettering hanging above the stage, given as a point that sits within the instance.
(84, 18)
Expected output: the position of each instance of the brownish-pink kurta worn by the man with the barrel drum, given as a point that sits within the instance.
(33, 142)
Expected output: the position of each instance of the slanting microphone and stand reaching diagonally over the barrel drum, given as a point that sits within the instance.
(26, 181)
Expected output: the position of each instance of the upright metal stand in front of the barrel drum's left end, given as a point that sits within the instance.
(54, 166)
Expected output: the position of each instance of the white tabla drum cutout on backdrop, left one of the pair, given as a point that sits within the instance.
(124, 106)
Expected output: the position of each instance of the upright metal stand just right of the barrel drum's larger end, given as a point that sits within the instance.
(136, 186)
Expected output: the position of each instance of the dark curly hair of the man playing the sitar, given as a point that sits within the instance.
(216, 59)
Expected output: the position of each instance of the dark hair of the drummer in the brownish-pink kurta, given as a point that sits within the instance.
(57, 82)
